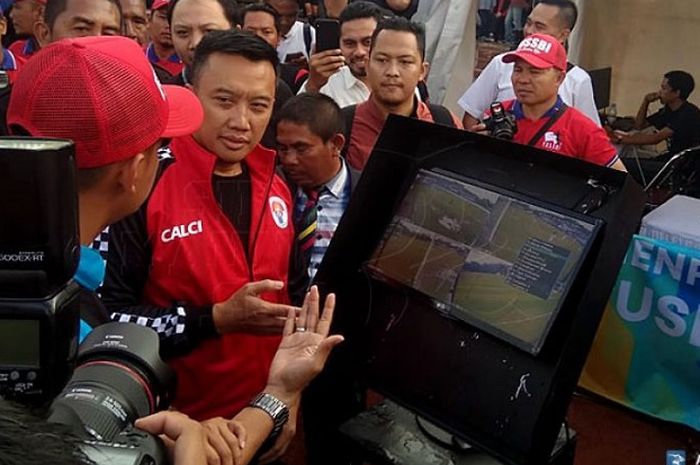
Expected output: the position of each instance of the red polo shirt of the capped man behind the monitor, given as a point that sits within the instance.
(573, 134)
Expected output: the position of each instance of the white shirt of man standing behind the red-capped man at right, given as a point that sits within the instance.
(494, 84)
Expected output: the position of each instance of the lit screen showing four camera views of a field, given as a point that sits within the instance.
(491, 258)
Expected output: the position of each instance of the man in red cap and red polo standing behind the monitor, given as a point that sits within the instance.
(543, 119)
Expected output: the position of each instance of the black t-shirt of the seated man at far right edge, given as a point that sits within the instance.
(684, 122)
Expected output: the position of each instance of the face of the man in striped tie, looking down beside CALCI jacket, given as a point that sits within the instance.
(307, 160)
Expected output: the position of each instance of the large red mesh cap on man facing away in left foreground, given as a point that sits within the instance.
(102, 93)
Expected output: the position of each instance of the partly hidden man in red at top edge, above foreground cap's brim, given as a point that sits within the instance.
(160, 50)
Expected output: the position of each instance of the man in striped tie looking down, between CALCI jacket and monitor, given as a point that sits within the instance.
(310, 137)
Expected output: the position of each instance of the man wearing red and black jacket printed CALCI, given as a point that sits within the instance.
(216, 227)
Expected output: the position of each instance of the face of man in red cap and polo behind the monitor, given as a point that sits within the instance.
(532, 85)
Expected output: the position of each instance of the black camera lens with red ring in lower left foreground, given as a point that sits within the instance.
(118, 379)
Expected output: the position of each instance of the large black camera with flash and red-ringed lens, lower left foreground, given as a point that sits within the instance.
(116, 376)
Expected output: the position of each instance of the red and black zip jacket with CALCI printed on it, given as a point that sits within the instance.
(197, 258)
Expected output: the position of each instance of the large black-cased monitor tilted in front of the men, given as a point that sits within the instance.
(471, 274)
